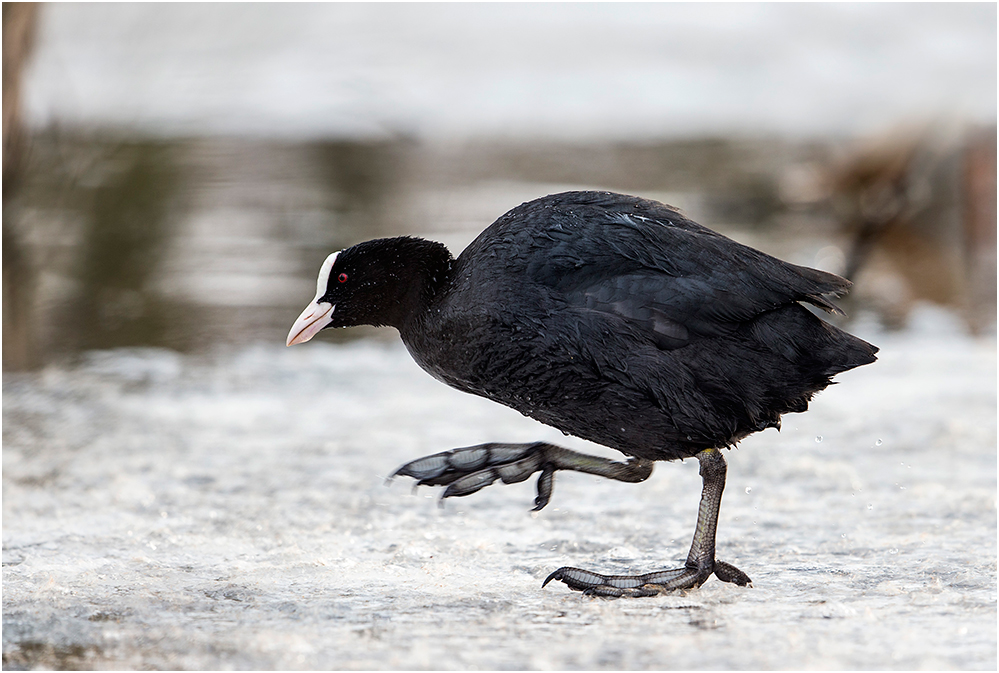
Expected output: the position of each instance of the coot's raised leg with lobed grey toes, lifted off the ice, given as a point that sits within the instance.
(465, 471)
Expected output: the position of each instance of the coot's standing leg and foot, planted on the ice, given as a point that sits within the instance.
(700, 565)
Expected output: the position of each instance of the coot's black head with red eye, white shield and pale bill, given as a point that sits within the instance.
(387, 281)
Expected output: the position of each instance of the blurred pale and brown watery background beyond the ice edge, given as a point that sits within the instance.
(176, 173)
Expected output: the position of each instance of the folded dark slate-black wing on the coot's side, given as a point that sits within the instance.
(676, 280)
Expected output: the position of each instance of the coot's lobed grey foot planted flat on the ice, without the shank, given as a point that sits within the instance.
(650, 584)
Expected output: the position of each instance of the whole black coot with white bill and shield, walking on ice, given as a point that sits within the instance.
(612, 318)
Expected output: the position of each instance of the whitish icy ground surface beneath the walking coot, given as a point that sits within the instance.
(230, 512)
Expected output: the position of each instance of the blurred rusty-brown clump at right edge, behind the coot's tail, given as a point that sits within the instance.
(920, 206)
